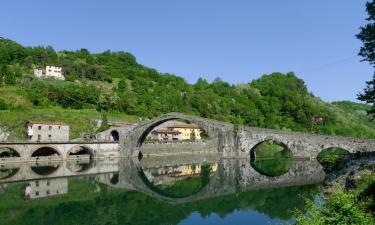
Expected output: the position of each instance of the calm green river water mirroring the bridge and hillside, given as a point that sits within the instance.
(166, 190)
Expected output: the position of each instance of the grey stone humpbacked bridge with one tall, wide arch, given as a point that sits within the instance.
(240, 141)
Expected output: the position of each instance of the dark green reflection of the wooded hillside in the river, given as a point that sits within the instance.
(112, 206)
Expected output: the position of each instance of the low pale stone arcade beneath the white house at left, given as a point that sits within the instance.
(26, 151)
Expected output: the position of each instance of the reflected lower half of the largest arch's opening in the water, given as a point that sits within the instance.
(178, 181)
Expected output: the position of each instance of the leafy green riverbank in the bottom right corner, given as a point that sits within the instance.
(349, 197)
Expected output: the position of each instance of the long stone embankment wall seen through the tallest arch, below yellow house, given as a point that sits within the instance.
(177, 148)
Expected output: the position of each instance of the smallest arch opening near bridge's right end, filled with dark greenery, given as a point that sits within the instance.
(333, 158)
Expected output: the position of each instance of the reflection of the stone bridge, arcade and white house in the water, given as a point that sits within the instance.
(158, 176)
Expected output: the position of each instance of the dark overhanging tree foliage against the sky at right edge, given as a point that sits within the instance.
(367, 51)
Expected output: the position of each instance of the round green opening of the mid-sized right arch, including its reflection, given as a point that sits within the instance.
(271, 158)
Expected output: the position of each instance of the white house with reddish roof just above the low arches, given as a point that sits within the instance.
(47, 131)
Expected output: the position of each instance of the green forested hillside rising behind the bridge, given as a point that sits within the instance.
(114, 82)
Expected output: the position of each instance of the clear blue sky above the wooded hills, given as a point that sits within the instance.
(237, 40)
